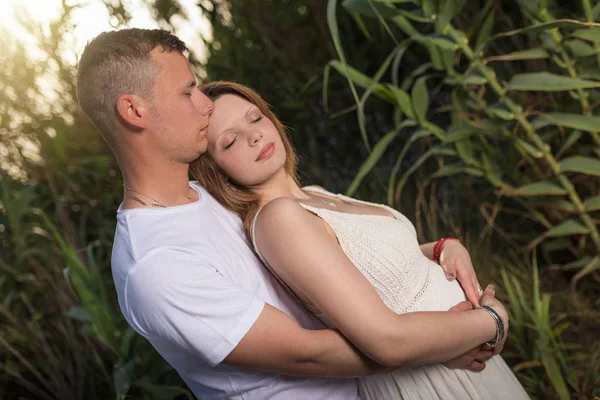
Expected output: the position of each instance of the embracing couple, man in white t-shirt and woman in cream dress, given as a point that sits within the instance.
(253, 287)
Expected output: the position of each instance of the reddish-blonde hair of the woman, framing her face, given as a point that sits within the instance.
(235, 197)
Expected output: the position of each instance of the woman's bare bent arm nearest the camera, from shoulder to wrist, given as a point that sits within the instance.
(298, 247)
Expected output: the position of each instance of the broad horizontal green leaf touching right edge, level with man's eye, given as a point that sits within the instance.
(547, 82)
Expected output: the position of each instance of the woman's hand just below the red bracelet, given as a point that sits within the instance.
(456, 263)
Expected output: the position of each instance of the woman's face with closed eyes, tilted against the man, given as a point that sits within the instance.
(243, 142)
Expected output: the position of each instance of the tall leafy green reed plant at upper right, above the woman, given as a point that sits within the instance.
(531, 137)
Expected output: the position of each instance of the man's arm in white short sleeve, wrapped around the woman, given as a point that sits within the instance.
(195, 307)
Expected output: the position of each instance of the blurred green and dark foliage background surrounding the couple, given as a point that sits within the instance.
(476, 119)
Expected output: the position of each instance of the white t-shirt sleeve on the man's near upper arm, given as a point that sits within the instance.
(176, 297)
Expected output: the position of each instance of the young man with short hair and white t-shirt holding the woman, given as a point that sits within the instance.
(185, 276)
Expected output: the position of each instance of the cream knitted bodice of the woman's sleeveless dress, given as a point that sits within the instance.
(384, 249)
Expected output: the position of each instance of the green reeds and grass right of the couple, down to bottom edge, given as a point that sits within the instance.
(503, 121)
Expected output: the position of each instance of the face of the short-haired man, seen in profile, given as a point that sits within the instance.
(180, 111)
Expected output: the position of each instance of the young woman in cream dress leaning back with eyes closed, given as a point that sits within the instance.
(357, 266)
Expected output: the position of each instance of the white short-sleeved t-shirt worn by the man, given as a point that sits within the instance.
(188, 282)
